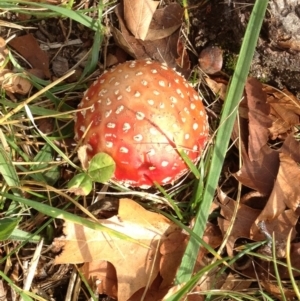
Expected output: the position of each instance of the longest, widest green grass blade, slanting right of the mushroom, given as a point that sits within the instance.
(223, 136)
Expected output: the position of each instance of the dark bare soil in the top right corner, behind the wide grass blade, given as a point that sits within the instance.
(277, 57)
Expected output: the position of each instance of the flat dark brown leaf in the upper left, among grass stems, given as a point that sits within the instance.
(29, 48)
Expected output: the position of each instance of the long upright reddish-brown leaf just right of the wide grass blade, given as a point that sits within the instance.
(260, 162)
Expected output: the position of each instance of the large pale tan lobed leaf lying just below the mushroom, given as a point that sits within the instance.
(136, 265)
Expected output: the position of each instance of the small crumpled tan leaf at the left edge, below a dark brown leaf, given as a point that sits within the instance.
(14, 83)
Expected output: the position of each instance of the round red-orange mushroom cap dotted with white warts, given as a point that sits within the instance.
(140, 113)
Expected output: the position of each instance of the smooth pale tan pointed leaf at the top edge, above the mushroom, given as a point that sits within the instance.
(138, 15)
